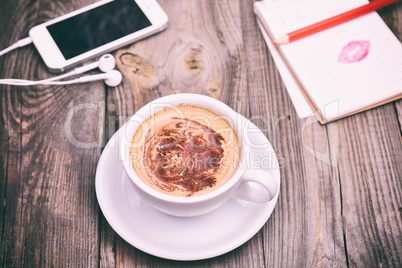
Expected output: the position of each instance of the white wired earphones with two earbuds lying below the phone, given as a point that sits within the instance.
(106, 64)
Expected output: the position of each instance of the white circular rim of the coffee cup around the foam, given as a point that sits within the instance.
(176, 99)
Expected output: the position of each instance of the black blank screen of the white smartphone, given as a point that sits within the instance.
(98, 26)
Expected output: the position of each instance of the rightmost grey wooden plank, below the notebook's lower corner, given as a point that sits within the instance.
(370, 154)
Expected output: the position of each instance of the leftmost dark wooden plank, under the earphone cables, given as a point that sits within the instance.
(50, 213)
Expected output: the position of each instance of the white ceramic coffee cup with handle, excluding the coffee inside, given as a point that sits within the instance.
(236, 187)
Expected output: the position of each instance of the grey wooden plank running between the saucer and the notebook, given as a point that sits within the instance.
(305, 229)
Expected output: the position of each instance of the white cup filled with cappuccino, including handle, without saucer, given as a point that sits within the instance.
(184, 160)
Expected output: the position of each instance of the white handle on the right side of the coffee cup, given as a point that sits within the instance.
(249, 190)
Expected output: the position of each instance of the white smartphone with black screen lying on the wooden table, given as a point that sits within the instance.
(96, 29)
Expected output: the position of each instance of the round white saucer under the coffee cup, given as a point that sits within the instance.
(177, 238)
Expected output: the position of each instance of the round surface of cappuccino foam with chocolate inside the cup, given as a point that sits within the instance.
(185, 151)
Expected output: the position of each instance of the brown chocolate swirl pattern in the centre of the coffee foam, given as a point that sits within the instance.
(183, 154)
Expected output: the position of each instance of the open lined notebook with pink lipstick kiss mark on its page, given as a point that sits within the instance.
(346, 69)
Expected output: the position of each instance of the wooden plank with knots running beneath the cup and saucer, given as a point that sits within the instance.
(202, 52)
